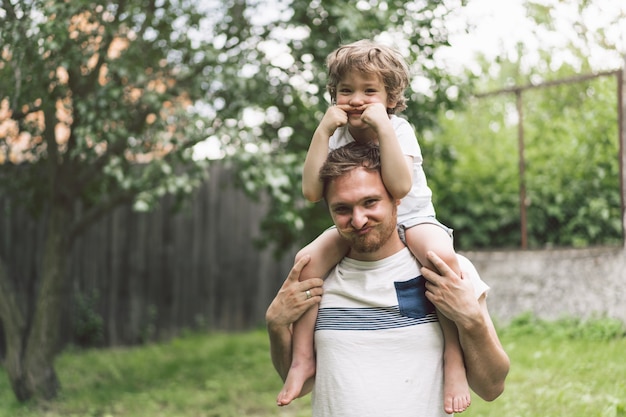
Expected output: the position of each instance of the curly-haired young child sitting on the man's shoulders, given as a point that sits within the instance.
(366, 84)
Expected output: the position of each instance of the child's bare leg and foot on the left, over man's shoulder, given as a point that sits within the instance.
(326, 251)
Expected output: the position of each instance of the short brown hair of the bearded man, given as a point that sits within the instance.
(342, 160)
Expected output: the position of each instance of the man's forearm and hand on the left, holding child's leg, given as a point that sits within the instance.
(286, 308)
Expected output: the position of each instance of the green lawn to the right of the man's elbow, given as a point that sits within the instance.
(565, 368)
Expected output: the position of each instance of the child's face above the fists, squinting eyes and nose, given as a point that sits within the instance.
(358, 89)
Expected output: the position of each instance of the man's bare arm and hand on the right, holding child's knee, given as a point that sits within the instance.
(486, 362)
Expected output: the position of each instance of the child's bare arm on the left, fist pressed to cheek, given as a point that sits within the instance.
(335, 116)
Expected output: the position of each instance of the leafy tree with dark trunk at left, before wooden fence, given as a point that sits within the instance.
(96, 110)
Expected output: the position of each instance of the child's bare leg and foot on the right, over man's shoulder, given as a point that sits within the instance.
(430, 237)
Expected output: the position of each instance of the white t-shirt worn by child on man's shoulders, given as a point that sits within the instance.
(418, 202)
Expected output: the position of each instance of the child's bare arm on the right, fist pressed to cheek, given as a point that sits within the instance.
(396, 168)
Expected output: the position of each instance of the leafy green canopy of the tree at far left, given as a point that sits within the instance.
(118, 80)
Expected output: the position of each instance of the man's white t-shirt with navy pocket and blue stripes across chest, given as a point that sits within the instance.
(373, 360)
